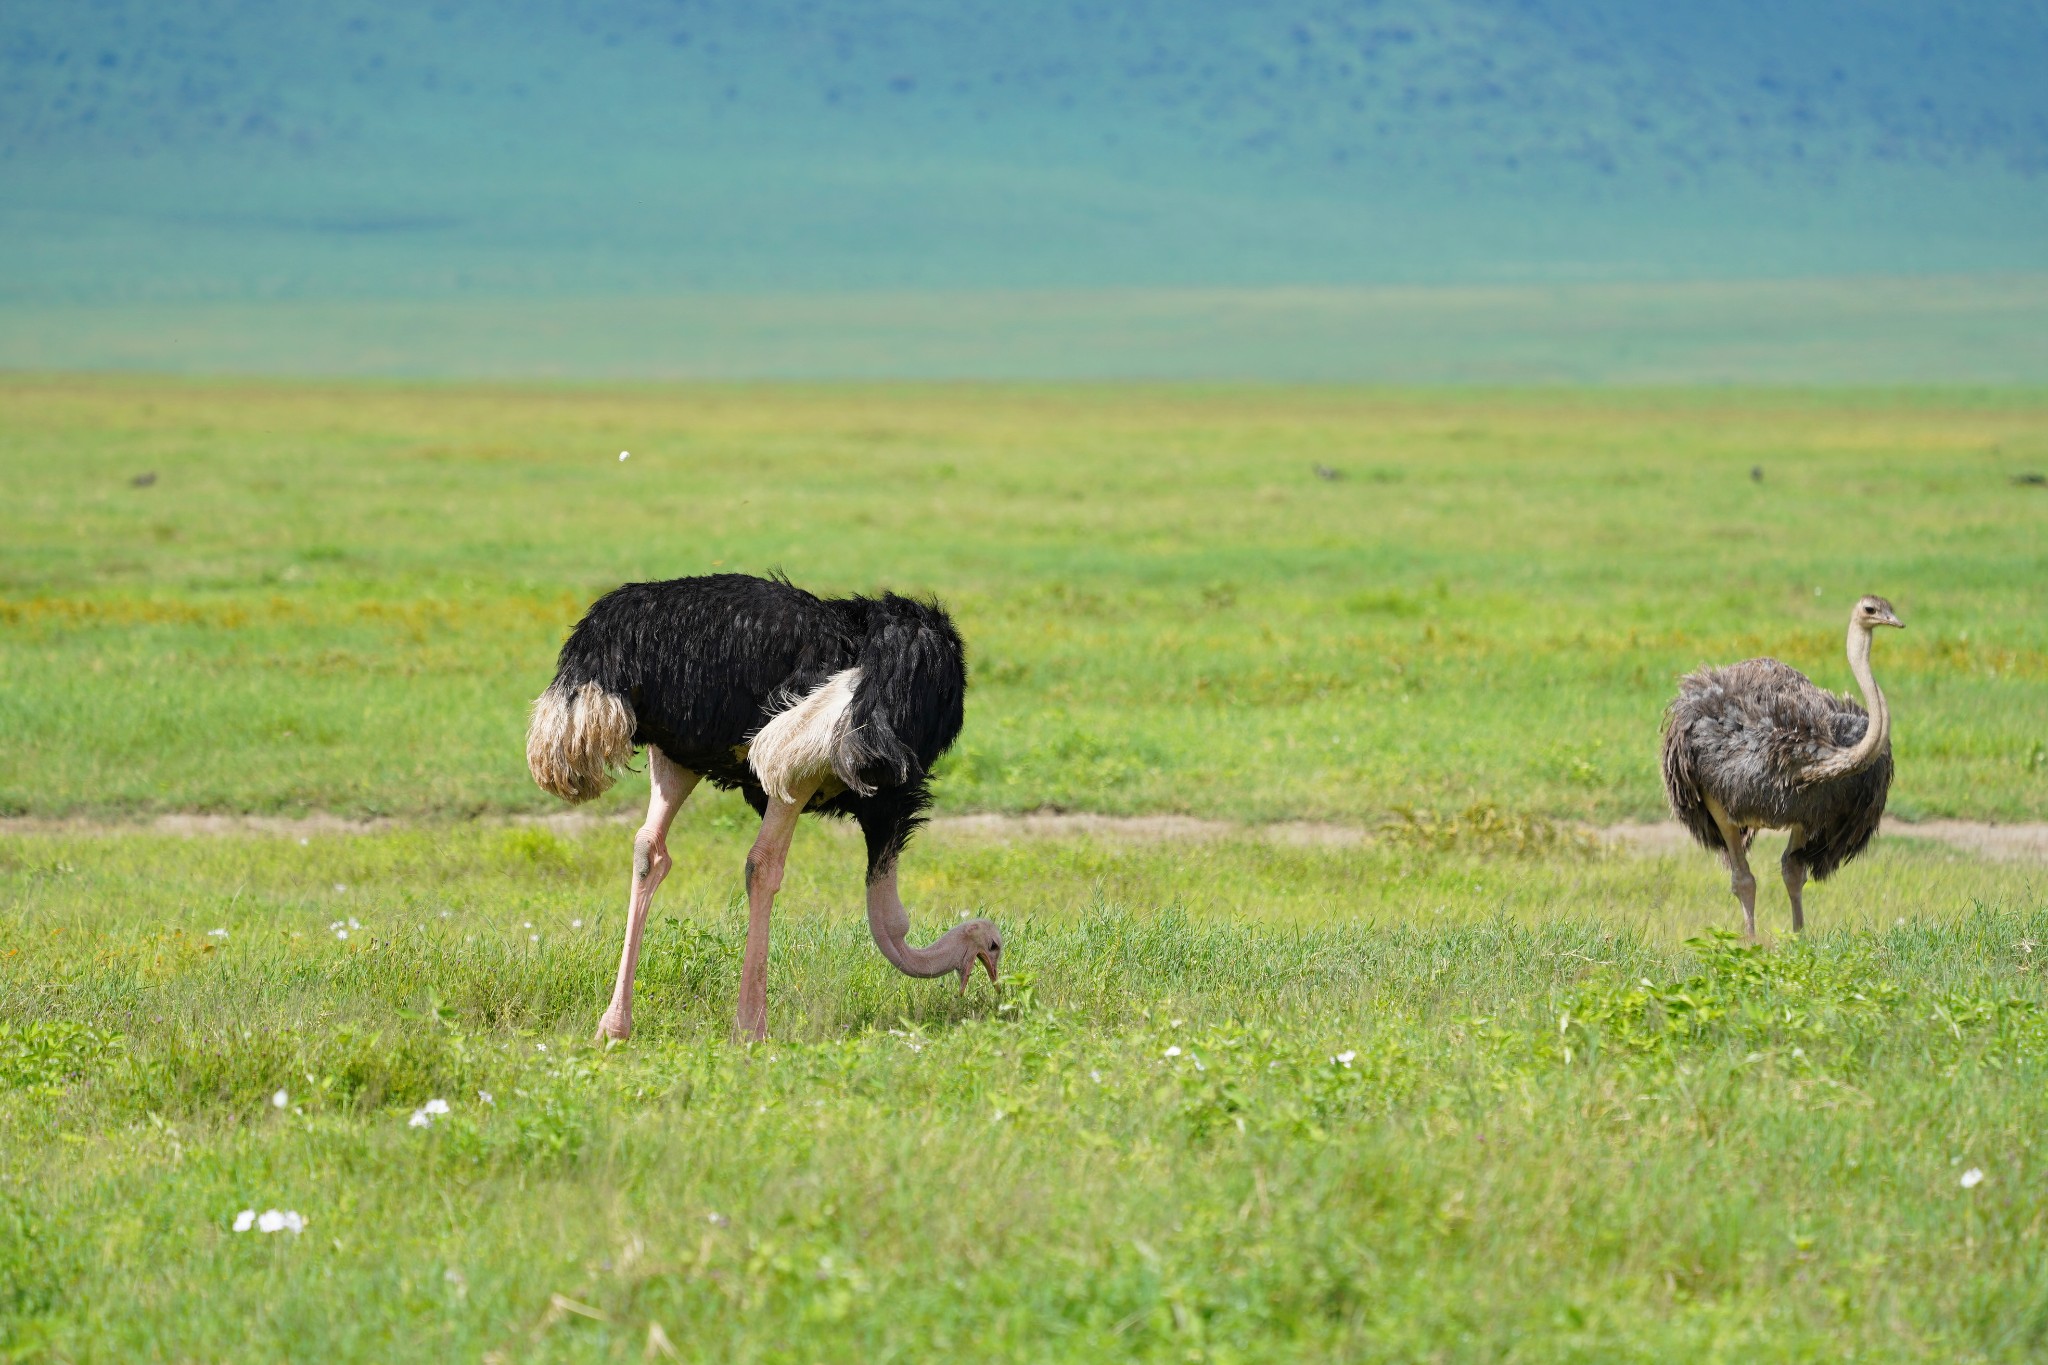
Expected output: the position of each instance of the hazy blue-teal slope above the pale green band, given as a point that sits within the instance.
(226, 150)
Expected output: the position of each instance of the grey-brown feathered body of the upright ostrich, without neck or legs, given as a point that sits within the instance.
(1746, 734)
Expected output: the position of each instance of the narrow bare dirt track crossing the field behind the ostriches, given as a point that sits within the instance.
(1979, 838)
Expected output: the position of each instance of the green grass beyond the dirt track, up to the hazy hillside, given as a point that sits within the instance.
(345, 597)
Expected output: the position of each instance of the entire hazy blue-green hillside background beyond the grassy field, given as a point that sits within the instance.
(1414, 189)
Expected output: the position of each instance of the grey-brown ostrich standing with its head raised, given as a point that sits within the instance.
(1756, 746)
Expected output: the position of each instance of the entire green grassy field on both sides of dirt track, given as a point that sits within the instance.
(1471, 1090)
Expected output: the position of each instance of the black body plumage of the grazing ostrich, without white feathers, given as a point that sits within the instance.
(708, 662)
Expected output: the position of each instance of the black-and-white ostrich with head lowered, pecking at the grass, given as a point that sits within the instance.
(802, 703)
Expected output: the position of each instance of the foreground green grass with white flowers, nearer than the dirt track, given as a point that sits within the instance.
(1562, 1133)
